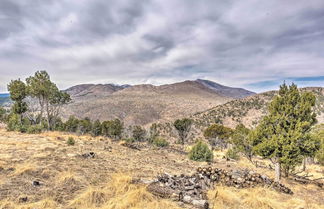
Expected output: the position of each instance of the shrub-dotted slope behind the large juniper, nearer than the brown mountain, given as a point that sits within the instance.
(250, 110)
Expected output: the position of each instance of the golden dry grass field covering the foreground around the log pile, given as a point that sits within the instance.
(69, 181)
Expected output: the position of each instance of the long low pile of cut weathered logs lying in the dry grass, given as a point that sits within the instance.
(192, 189)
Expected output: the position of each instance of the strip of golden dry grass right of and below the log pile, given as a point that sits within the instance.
(255, 198)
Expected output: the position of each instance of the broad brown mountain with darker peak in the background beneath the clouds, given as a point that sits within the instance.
(146, 103)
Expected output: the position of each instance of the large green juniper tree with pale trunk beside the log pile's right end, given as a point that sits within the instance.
(283, 134)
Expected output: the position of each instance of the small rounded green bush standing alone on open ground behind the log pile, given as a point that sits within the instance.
(201, 152)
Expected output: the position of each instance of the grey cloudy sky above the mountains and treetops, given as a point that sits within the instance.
(243, 43)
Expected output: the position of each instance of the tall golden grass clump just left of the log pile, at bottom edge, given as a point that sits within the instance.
(119, 193)
